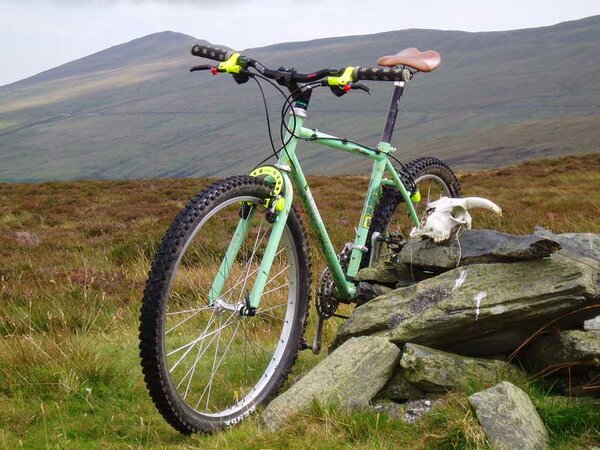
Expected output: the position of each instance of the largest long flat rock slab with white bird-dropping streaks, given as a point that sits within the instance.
(482, 309)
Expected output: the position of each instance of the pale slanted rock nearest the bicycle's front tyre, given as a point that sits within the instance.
(351, 376)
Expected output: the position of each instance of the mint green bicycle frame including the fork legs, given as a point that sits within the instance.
(290, 168)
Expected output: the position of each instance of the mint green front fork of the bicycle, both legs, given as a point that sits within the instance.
(278, 211)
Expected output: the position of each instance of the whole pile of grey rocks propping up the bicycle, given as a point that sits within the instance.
(434, 318)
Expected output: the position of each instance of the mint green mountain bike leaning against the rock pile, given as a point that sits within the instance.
(226, 301)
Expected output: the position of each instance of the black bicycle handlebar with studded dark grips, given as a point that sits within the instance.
(358, 73)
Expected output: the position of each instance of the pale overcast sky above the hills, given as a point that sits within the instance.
(39, 34)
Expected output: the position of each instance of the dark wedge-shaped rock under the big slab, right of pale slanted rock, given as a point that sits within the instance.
(436, 371)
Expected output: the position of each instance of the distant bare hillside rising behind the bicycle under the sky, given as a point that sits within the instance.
(134, 110)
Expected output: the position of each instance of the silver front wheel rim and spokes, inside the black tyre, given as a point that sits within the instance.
(219, 362)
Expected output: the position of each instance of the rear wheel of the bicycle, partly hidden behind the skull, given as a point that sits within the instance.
(434, 179)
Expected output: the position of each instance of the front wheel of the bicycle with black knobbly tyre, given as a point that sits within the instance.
(206, 365)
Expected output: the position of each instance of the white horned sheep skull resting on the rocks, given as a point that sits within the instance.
(445, 215)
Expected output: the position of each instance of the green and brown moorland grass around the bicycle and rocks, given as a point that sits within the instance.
(73, 261)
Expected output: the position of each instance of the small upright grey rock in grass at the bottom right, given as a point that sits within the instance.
(509, 419)
